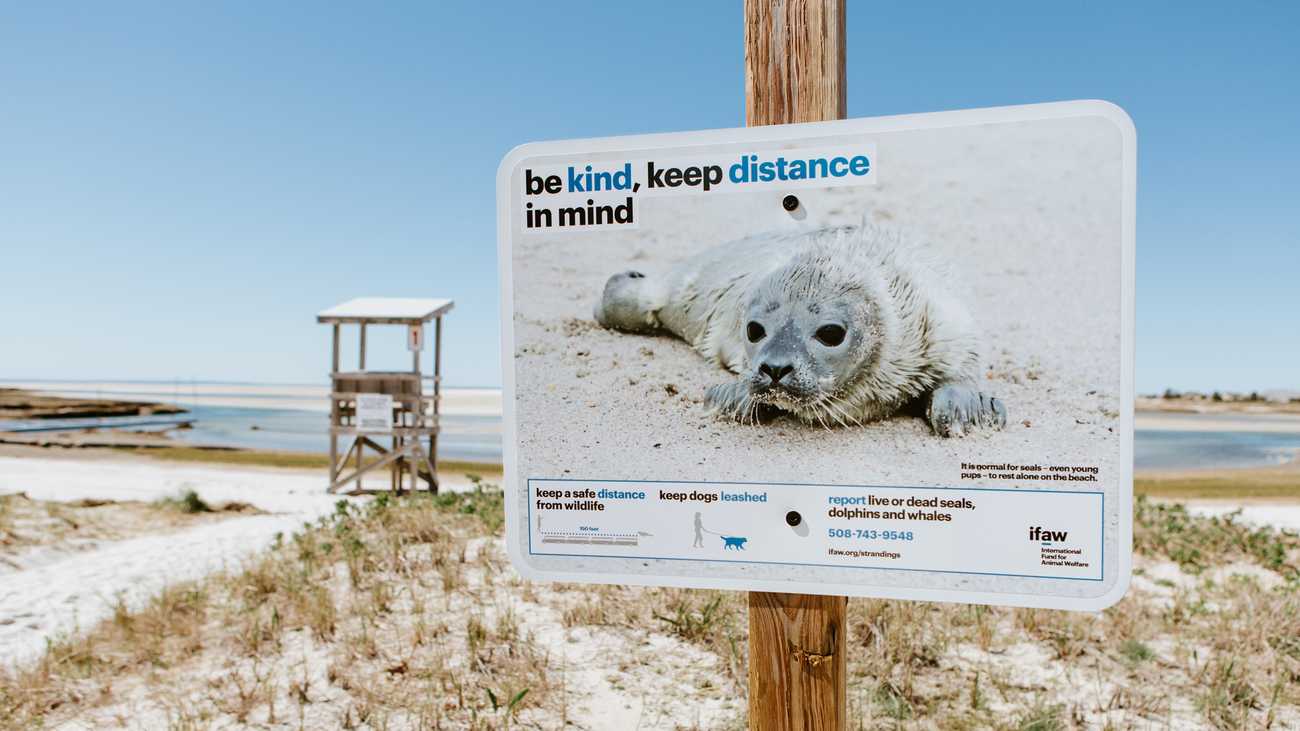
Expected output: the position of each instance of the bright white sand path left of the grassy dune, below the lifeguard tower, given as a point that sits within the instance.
(72, 587)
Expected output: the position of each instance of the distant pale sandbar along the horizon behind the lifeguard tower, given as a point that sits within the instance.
(456, 403)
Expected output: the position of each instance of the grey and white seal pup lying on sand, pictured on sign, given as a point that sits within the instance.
(835, 326)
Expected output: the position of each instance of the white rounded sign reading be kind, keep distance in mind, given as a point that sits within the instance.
(886, 357)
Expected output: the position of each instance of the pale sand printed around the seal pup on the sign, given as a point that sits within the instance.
(1028, 214)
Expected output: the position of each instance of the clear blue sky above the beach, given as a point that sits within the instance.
(184, 185)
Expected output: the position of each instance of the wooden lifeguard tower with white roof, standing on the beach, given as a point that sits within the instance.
(367, 406)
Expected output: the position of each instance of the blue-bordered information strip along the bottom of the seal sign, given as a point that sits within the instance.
(1056, 535)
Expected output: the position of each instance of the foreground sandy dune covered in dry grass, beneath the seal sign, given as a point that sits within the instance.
(404, 613)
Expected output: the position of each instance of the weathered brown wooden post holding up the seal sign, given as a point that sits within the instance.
(795, 72)
